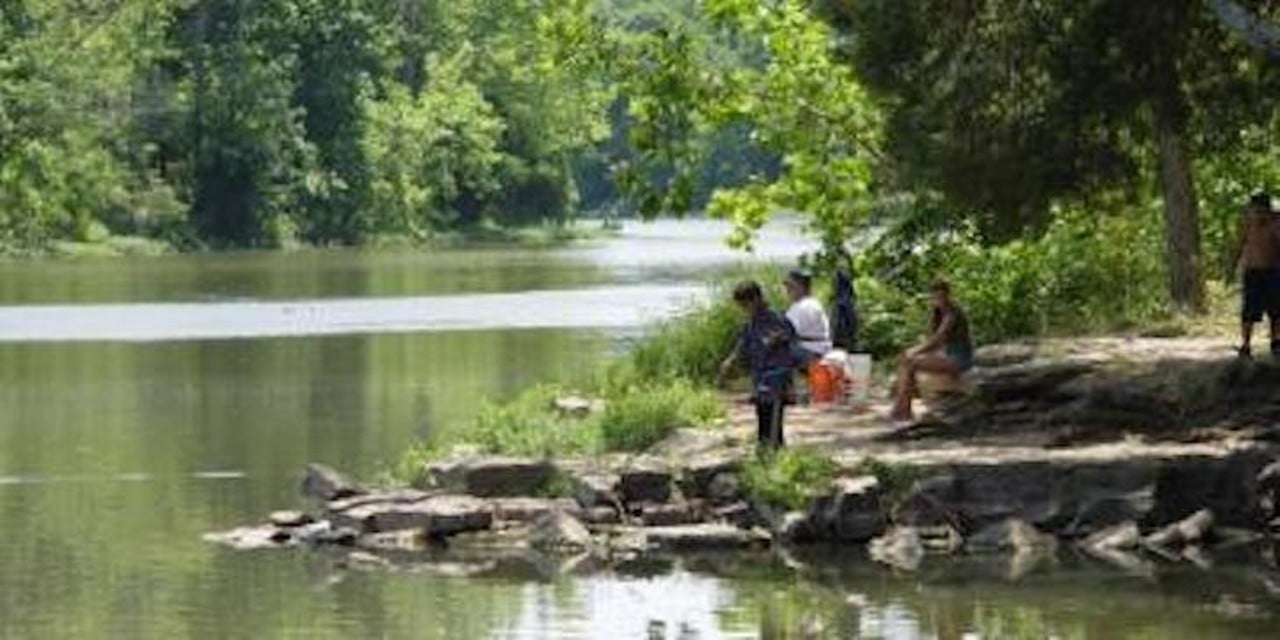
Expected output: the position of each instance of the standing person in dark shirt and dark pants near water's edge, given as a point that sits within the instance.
(765, 345)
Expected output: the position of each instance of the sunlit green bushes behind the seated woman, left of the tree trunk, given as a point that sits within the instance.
(1086, 272)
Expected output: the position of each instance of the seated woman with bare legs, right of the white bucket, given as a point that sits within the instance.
(947, 353)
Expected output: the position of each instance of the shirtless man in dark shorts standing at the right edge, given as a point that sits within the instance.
(1258, 259)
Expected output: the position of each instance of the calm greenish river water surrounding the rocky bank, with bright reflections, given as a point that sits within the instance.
(147, 403)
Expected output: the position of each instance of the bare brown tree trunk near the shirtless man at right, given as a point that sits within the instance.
(1182, 212)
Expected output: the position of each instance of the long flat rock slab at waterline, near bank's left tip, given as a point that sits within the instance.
(438, 516)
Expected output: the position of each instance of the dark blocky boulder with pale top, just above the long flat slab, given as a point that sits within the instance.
(491, 478)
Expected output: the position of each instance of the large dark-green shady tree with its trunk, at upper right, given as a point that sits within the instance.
(1007, 107)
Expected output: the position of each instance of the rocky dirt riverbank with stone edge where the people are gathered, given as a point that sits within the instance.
(1130, 451)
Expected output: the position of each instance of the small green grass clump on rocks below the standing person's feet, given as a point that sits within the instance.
(789, 478)
